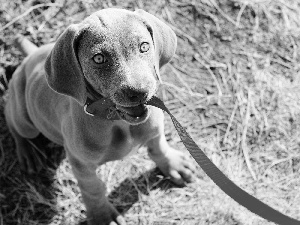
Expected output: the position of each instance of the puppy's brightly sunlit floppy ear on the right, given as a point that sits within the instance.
(163, 36)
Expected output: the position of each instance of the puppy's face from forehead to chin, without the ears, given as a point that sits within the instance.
(116, 56)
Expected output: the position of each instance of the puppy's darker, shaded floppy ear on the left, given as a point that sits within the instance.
(63, 71)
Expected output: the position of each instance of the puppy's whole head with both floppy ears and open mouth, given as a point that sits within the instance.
(119, 53)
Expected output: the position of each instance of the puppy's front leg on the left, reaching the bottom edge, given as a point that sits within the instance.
(99, 210)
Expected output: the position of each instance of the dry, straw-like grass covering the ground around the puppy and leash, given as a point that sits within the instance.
(234, 84)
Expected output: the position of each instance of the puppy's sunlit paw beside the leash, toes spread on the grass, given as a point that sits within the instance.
(176, 165)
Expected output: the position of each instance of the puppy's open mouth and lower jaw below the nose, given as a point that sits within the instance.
(133, 115)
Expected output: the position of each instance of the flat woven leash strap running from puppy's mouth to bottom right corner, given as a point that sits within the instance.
(230, 188)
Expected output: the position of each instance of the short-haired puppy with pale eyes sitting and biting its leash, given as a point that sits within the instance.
(113, 55)
